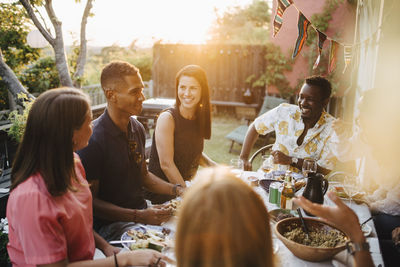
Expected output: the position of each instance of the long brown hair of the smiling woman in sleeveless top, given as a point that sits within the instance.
(203, 112)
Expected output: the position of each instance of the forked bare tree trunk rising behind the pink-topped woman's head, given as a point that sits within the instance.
(57, 41)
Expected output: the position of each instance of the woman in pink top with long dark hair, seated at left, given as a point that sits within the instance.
(50, 205)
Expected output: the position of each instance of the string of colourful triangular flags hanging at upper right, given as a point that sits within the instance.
(302, 25)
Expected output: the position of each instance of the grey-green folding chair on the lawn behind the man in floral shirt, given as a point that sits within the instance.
(238, 134)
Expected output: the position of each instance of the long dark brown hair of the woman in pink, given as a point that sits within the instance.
(47, 146)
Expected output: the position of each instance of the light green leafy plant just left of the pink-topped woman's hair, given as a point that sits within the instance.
(18, 120)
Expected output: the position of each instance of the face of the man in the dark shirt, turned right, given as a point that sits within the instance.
(127, 98)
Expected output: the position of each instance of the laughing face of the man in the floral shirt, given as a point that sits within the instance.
(311, 103)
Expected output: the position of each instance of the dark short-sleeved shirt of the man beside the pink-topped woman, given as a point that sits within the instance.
(115, 160)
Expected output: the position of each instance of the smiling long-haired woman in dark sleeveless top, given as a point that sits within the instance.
(177, 148)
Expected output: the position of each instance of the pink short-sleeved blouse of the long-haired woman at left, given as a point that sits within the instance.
(45, 229)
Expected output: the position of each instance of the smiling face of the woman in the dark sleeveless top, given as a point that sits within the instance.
(189, 92)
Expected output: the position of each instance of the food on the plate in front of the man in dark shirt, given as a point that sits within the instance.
(146, 237)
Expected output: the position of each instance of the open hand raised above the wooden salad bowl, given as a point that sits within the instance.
(339, 215)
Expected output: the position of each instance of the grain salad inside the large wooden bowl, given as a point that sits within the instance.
(317, 237)
